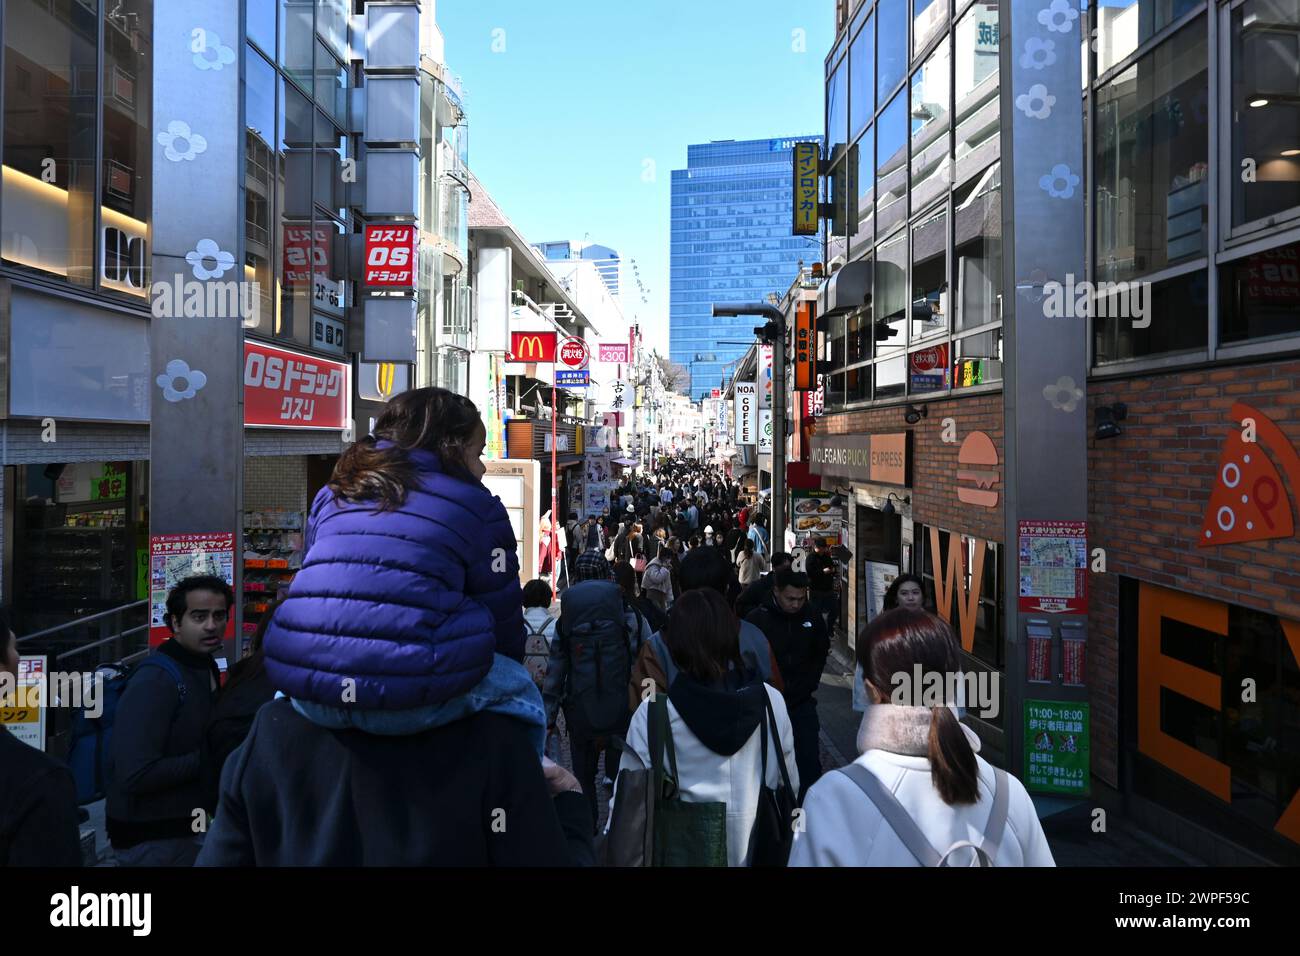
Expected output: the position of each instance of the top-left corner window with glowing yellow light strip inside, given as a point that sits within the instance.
(49, 189)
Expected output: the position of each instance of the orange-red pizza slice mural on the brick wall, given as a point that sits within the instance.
(1250, 503)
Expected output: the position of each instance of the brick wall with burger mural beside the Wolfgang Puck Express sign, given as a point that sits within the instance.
(934, 470)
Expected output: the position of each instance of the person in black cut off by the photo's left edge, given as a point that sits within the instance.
(38, 798)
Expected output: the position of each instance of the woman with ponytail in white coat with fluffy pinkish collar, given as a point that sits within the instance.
(930, 789)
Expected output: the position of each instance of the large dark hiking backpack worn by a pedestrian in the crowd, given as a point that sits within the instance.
(593, 620)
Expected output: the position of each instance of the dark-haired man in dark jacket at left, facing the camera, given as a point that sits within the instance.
(155, 793)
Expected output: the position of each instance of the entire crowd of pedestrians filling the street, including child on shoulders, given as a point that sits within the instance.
(402, 706)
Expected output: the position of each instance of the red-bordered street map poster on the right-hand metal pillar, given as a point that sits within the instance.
(1054, 559)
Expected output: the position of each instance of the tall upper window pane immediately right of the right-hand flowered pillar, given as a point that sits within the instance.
(1151, 189)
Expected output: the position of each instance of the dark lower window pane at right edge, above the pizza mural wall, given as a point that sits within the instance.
(1260, 296)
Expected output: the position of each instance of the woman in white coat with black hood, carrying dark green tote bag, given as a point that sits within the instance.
(716, 707)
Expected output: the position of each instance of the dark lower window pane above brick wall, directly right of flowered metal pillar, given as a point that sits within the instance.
(1178, 313)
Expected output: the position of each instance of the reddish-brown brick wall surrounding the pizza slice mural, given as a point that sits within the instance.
(1147, 496)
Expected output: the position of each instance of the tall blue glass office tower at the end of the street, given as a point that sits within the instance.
(731, 243)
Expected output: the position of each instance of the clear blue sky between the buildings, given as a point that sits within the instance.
(580, 110)
